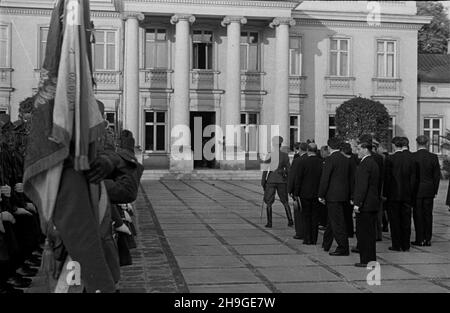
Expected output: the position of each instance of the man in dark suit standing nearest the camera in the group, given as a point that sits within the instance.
(366, 203)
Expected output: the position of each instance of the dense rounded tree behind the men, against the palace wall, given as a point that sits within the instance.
(359, 116)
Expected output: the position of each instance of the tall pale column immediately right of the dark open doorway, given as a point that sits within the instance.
(234, 158)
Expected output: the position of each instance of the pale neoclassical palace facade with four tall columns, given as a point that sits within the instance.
(160, 63)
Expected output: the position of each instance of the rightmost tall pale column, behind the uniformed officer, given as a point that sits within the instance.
(281, 116)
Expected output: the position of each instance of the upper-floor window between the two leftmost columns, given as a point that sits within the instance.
(156, 48)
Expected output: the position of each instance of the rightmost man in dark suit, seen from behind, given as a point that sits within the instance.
(429, 172)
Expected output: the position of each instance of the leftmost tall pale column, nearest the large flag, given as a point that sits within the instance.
(131, 73)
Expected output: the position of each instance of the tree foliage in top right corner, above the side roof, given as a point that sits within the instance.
(433, 37)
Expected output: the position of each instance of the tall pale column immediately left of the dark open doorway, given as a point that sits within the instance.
(181, 151)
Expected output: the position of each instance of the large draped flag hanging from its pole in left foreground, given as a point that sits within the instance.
(67, 118)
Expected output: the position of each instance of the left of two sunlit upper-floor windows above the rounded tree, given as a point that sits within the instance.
(339, 57)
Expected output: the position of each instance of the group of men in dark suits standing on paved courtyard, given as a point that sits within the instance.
(360, 184)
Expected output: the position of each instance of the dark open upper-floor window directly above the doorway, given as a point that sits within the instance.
(202, 49)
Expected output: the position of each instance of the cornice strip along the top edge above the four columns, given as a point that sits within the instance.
(238, 3)
